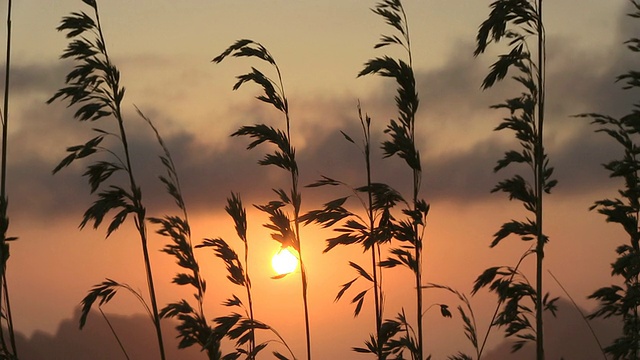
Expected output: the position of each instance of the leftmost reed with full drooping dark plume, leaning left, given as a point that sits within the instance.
(94, 87)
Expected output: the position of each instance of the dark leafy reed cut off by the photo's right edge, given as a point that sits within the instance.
(623, 299)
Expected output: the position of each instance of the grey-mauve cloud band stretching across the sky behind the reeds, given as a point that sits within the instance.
(457, 142)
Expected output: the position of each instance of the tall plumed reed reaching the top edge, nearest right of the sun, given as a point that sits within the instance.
(408, 232)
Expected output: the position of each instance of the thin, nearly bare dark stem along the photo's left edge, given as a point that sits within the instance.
(10, 351)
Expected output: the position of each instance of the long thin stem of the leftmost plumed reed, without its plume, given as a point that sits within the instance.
(135, 192)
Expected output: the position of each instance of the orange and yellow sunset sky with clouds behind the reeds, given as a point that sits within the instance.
(164, 49)
